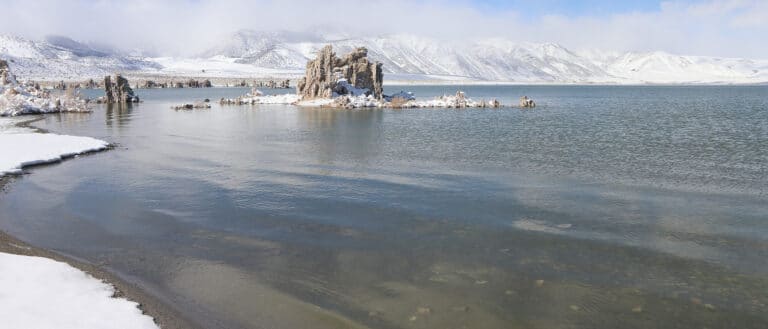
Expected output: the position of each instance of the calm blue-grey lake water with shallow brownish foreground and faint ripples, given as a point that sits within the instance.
(604, 207)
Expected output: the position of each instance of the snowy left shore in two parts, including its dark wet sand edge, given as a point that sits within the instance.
(43, 289)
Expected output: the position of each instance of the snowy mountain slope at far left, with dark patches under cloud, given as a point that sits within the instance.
(60, 57)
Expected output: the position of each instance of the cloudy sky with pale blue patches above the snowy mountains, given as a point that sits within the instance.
(726, 28)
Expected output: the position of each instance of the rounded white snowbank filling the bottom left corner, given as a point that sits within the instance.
(41, 293)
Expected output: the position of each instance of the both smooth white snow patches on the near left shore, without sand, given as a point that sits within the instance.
(41, 293)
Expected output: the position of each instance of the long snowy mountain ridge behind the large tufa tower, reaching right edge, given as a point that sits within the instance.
(493, 60)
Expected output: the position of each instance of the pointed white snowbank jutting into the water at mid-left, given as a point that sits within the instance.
(22, 147)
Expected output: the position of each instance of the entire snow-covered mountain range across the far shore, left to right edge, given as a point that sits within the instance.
(252, 54)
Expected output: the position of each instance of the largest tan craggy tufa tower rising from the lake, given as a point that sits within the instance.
(356, 73)
